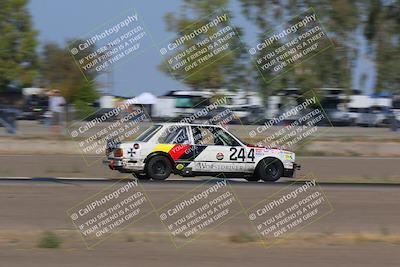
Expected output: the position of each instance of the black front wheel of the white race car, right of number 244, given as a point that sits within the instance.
(269, 169)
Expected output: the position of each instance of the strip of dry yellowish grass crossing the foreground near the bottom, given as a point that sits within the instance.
(71, 238)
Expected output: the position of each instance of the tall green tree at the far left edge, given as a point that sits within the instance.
(18, 59)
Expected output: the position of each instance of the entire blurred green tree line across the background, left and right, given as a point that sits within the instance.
(379, 21)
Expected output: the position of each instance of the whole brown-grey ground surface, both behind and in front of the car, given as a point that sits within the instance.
(362, 228)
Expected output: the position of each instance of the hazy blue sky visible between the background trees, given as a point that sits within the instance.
(62, 20)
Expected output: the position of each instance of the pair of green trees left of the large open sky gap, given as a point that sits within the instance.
(21, 66)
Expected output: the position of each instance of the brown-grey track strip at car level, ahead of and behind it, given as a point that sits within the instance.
(323, 168)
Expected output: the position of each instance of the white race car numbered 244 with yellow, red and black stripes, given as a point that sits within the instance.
(198, 150)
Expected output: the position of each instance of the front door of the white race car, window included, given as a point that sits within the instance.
(217, 151)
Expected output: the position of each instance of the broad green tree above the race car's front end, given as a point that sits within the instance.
(331, 68)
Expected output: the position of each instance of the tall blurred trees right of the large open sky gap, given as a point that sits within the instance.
(378, 20)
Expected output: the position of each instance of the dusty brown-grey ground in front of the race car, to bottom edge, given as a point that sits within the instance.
(32, 206)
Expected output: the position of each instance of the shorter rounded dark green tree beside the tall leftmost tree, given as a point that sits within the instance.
(60, 72)
